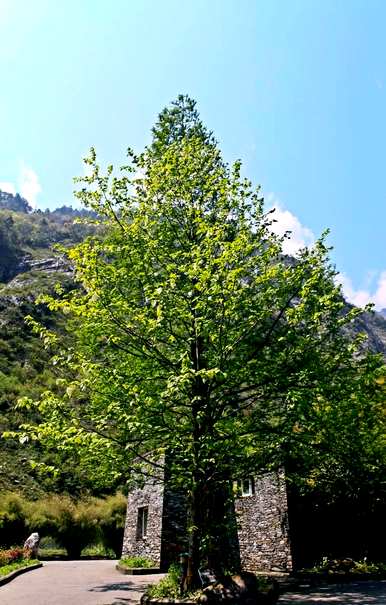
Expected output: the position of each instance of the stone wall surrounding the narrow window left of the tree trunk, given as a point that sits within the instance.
(151, 496)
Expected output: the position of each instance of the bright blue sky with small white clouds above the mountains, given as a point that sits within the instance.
(296, 89)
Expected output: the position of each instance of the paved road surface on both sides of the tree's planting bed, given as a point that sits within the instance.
(98, 583)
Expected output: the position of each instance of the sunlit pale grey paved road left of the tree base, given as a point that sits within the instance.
(75, 583)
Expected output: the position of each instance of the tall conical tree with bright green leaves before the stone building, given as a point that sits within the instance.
(194, 334)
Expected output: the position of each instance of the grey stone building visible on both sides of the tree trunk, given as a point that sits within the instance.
(156, 523)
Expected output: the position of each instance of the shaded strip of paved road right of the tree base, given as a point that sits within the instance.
(359, 593)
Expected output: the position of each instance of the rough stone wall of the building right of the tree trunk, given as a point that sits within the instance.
(262, 520)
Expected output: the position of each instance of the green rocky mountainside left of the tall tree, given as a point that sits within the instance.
(30, 265)
